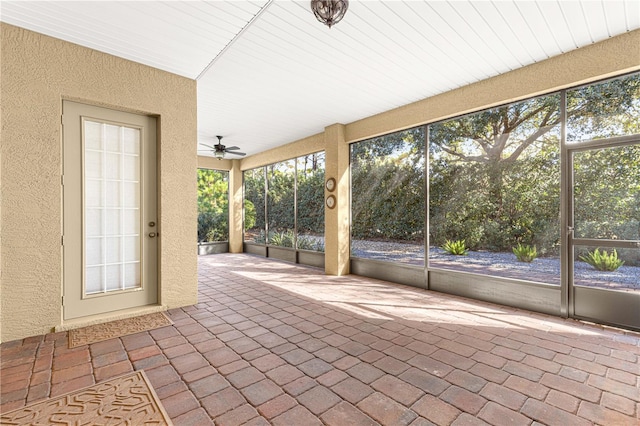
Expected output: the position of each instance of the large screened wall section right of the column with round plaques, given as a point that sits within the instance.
(534, 204)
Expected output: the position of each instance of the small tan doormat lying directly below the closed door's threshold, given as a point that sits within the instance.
(109, 330)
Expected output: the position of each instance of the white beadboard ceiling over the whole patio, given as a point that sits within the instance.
(269, 73)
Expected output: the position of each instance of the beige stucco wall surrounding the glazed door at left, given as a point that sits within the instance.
(38, 72)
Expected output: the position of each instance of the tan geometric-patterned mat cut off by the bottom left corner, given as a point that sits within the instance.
(125, 400)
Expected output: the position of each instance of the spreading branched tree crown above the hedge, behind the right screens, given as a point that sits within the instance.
(501, 135)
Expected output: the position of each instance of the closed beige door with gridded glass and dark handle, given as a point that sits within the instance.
(110, 229)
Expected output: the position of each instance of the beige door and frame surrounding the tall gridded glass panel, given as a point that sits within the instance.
(74, 257)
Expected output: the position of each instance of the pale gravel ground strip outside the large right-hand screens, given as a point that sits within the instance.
(544, 269)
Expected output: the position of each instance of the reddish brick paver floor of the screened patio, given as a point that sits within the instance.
(276, 343)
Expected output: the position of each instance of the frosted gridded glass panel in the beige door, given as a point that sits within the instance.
(112, 207)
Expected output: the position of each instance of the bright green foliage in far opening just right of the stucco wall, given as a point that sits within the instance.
(213, 205)
